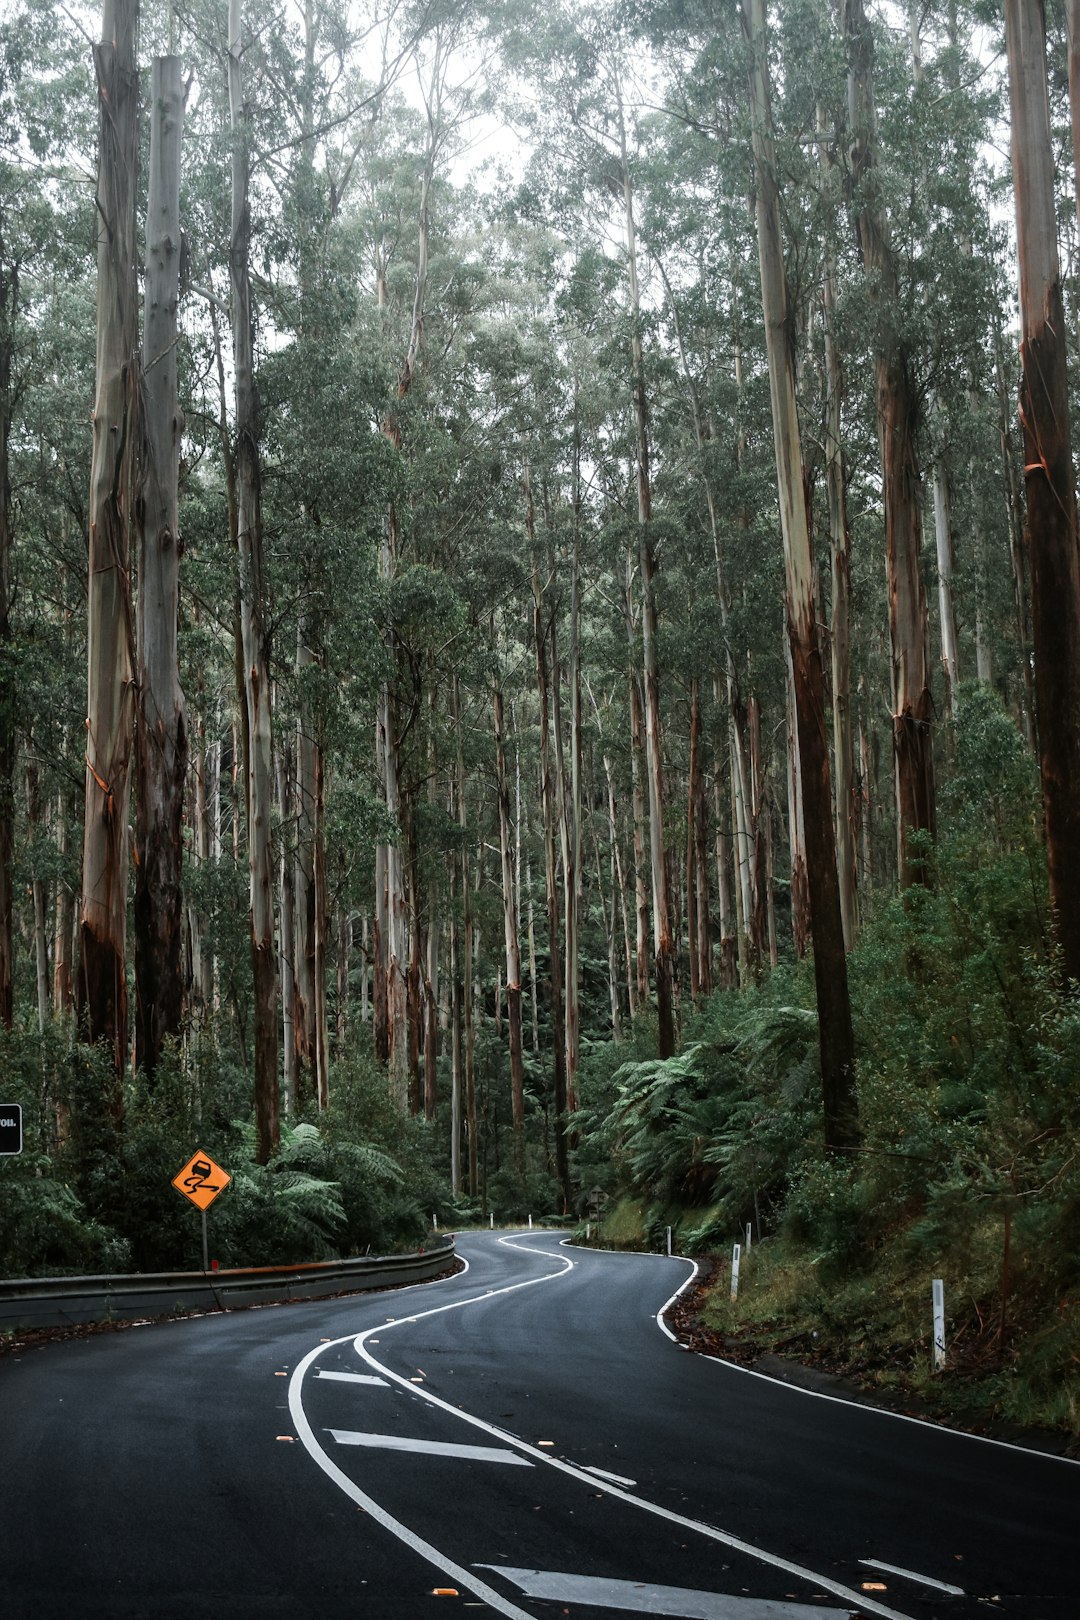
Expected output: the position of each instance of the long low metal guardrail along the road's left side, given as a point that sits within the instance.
(67, 1302)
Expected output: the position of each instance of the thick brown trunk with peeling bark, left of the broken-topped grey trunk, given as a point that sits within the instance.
(111, 686)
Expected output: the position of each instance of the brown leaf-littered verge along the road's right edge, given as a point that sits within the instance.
(846, 1375)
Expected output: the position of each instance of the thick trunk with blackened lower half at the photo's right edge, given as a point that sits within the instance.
(1050, 480)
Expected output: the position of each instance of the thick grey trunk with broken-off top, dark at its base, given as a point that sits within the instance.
(161, 723)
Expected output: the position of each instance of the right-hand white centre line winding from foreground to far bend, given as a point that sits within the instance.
(712, 1532)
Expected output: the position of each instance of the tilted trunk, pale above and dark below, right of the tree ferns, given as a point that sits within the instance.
(835, 1015)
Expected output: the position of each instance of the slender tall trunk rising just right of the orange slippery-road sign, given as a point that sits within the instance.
(253, 621)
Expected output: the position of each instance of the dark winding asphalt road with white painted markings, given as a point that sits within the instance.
(522, 1439)
